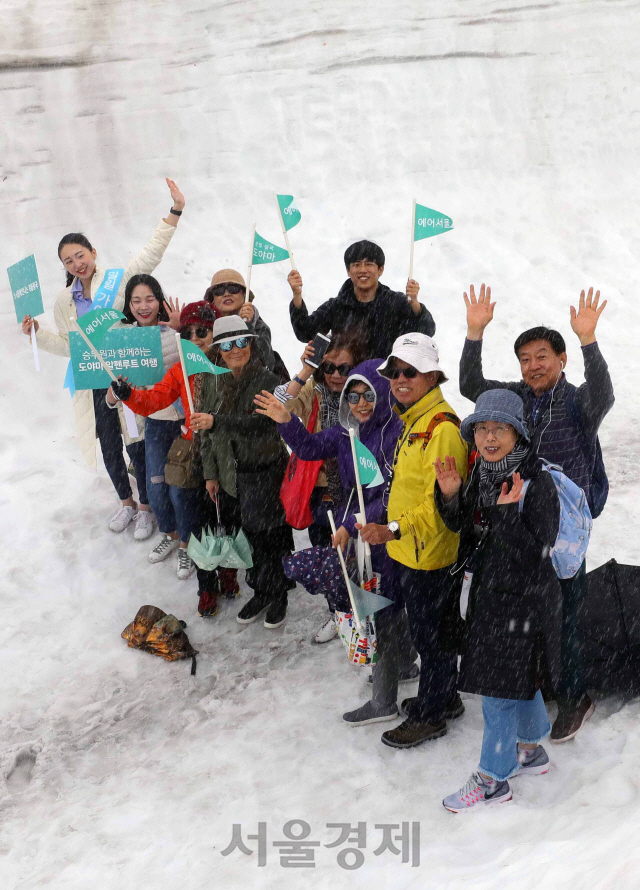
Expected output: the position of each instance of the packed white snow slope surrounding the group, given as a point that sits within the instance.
(518, 120)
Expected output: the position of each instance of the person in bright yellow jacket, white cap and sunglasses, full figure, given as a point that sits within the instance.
(422, 547)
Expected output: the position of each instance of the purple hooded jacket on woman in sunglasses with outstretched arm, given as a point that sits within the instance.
(379, 434)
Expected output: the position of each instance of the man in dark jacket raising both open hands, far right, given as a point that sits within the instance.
(563, 420)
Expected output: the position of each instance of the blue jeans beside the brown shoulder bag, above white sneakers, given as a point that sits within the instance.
(175, 509)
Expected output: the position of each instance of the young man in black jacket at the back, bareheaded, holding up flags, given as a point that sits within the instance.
(375, 315)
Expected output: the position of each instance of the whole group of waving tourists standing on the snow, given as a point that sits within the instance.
(461, 528)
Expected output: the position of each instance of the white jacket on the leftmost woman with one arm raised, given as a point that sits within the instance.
(65, 309)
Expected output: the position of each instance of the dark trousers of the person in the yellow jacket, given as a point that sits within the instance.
(426, 596)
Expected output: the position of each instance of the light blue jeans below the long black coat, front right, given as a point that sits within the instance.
(507, 722)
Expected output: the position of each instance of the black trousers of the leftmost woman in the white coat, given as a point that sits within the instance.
(110, 437)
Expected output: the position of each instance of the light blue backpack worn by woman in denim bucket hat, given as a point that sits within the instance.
(570, 548)
